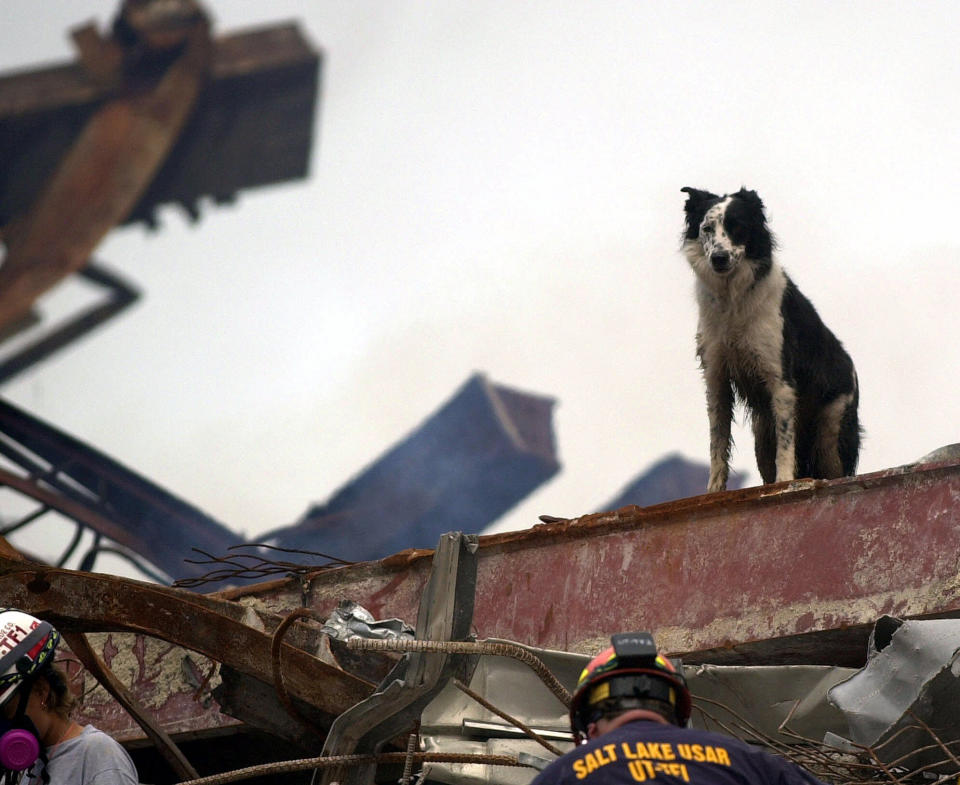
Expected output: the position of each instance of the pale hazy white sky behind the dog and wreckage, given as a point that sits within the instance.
(496, 187)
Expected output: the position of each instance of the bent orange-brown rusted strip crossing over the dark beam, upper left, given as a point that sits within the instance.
(100, 180)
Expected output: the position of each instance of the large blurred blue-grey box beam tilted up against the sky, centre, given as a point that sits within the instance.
(474, 458)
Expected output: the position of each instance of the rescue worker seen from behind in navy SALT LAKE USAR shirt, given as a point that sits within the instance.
(628, 717)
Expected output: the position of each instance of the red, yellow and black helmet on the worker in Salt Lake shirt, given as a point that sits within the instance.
(631, 669)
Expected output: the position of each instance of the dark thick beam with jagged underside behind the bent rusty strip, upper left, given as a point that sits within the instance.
(260, 81)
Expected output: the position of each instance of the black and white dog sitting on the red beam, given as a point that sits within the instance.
(760, 340)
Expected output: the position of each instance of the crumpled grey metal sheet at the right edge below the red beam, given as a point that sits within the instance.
(912, 673)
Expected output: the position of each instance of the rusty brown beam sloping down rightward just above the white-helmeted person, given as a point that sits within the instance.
(221, 630)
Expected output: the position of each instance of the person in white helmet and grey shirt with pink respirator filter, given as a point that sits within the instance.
(37, 736)
